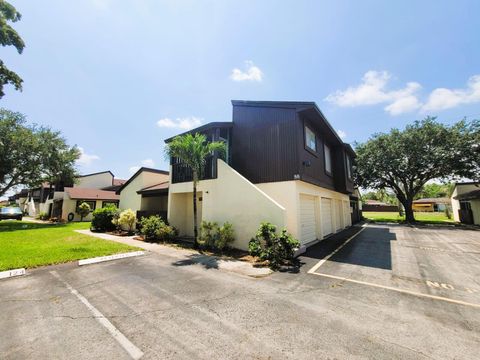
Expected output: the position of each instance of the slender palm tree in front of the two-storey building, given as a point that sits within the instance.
(193, 151)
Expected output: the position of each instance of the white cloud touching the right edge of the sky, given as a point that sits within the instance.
(443, 98)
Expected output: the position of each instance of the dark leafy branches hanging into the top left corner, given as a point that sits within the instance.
(8, 37)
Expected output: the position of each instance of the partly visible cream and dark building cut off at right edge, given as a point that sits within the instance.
(466, 203)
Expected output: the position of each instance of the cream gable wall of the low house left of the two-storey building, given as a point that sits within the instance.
(129, 199)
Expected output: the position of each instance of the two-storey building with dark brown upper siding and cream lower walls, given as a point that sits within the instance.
(284, 164)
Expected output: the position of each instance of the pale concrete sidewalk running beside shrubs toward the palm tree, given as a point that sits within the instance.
(186, 255)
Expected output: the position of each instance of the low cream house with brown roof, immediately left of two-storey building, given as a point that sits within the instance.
(146, 193)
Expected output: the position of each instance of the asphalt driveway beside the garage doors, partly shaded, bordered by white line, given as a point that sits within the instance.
(434, 262)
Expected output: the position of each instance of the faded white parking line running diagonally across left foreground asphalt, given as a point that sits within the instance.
(129, 347)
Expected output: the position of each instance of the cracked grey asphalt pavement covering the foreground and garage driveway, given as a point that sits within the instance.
(173, 311)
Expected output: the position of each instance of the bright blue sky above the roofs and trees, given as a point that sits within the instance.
(117, 77)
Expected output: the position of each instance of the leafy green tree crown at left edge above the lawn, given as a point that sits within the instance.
(30, 155)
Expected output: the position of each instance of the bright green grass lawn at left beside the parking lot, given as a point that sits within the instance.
(26, 244)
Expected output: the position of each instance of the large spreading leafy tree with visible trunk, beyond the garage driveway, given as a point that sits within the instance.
(405, 161)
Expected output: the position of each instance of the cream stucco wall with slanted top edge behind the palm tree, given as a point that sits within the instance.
(230, 198)
